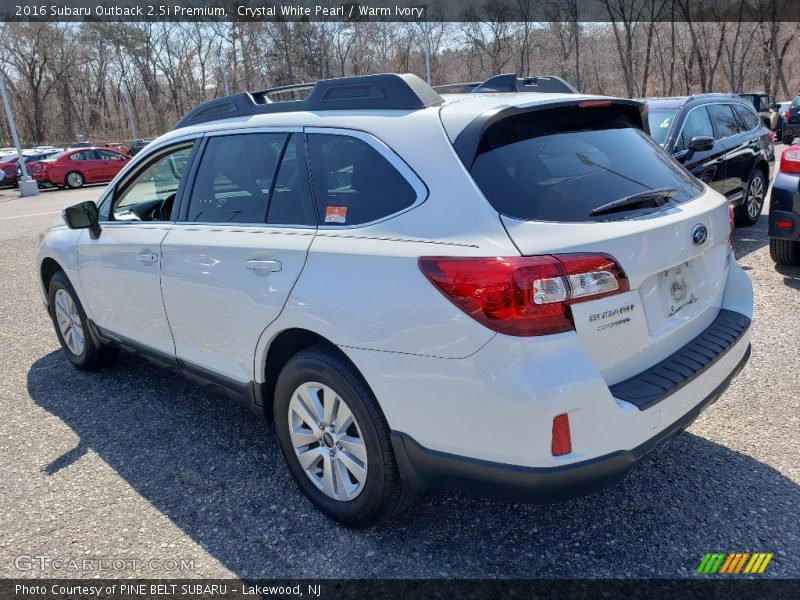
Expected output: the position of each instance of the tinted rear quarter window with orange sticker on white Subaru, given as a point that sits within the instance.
(353, 183)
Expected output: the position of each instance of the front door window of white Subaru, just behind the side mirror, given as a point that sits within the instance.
(150, 194)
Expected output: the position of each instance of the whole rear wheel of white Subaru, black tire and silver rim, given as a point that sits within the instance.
(373, 491)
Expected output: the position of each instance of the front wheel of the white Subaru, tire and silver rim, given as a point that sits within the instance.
(70, 323)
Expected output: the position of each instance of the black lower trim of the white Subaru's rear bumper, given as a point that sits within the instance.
(422, 467)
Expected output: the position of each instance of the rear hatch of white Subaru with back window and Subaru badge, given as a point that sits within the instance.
(583, 177)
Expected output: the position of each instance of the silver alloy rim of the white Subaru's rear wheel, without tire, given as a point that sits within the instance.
(327, 441)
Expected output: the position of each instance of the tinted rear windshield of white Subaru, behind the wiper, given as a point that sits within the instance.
(562, 164)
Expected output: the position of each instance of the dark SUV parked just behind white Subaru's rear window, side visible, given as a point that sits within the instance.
(721, 139)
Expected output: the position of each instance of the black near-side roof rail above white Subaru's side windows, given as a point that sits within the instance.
(387, 91)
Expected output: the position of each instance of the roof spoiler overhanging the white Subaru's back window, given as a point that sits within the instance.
(468, 141)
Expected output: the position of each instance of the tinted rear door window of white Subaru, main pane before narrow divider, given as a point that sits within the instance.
(235, 177)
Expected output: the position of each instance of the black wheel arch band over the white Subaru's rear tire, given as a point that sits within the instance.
(283, 347)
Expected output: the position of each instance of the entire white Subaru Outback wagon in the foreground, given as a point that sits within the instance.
(500, 291)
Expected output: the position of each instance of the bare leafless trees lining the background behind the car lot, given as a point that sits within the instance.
(69, 81)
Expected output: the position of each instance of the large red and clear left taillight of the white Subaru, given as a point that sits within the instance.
(524, 295)
